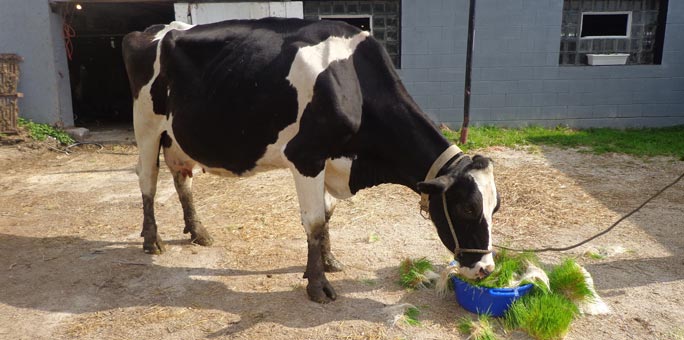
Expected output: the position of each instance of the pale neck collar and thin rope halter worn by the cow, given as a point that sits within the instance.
(439, 163)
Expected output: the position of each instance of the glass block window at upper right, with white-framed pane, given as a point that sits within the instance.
(634, 27)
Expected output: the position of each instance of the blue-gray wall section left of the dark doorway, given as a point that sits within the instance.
(31, 30)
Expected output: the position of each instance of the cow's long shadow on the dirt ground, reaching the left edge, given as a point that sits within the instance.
(79, 276)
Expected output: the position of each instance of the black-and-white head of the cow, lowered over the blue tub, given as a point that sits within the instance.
(467, 186)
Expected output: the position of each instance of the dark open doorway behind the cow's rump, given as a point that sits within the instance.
(99, 85)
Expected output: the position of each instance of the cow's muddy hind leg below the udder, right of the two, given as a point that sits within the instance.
(198, 234)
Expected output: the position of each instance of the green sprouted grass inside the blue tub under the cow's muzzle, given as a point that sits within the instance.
(508, 265)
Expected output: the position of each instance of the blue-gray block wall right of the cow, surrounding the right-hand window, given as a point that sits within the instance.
(516, 76)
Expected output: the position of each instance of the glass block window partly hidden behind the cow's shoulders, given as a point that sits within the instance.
(381, 17)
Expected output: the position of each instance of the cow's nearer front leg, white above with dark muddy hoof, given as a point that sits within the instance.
(311, 191)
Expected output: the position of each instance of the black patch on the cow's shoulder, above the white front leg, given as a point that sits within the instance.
(329, 121)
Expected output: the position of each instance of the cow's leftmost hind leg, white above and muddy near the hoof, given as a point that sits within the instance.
(148, 172)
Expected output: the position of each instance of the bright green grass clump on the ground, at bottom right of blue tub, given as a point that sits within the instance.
(542, 316)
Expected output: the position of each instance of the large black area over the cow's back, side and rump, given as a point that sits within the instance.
(223, 87)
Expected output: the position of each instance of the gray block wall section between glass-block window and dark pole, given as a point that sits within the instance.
(433, 55)
